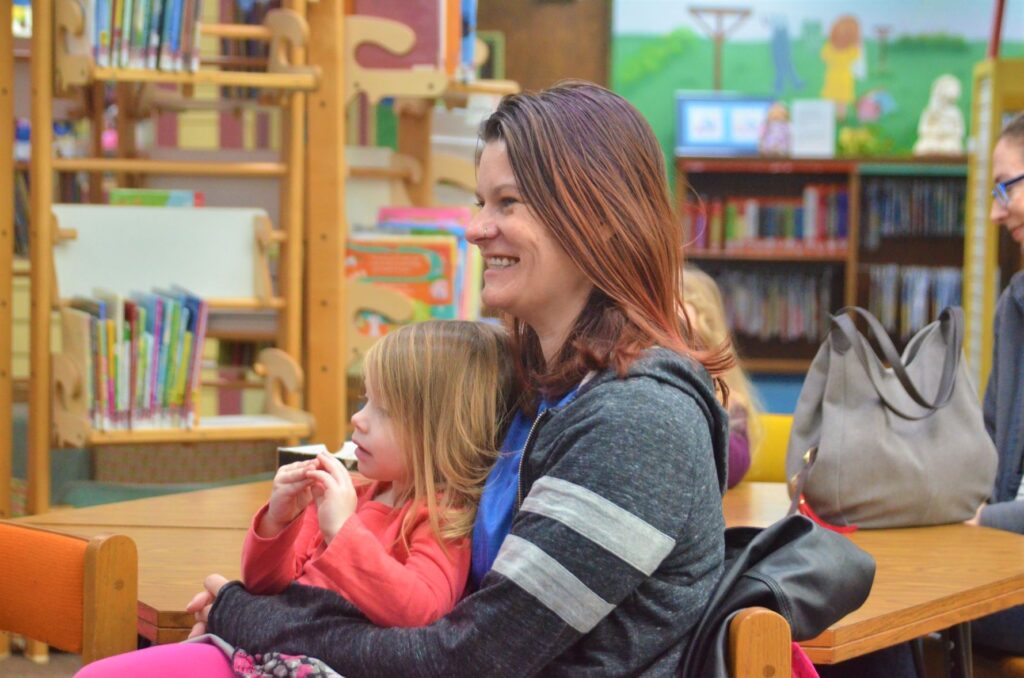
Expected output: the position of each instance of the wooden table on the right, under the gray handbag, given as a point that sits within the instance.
(927, 579)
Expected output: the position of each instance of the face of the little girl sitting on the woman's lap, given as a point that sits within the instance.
(379, 451)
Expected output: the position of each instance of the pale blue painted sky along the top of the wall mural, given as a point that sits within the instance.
(970, 20)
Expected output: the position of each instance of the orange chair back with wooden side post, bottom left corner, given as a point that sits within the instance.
(72, 594)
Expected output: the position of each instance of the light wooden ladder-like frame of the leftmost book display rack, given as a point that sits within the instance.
(54, 413)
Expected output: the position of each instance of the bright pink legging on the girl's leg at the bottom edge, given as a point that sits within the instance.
(174, 661)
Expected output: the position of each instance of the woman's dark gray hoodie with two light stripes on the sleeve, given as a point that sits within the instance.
(612, 558)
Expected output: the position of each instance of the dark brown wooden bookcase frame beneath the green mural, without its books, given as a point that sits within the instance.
(702, 181)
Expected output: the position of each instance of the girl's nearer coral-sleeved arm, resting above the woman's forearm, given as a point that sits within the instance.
(416, 592)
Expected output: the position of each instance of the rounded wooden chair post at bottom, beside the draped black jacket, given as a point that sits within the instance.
(759, 645)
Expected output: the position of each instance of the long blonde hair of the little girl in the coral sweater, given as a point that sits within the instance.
(448, 389)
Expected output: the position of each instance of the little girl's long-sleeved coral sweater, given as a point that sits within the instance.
(367, 563)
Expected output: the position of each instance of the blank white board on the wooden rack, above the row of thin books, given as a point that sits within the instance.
(210, 251)
